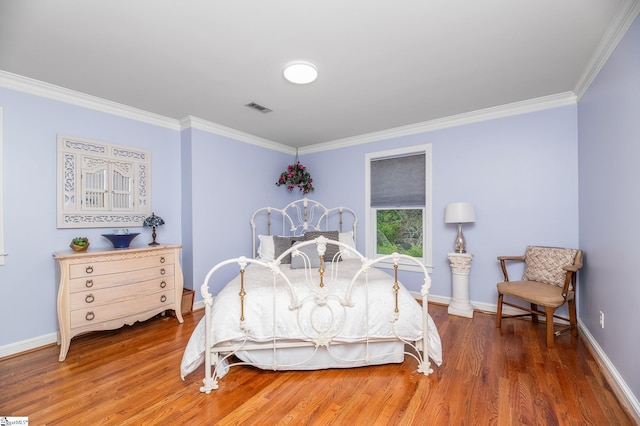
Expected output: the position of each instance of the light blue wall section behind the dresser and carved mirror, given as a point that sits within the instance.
(28, 282)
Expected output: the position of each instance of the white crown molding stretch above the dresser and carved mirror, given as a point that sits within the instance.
(51, 91)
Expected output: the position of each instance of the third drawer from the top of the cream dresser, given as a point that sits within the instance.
(98, 297)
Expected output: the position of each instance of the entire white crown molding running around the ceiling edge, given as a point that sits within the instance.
(625, 16)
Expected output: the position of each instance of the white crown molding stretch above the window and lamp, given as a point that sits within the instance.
(507, 110)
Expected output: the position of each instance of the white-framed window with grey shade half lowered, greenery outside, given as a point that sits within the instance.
(398, 197)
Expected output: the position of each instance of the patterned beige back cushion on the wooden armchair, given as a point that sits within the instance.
(544, 264)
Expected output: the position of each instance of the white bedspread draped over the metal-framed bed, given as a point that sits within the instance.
(267, 317)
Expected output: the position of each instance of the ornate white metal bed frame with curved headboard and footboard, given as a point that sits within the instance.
(297, 218)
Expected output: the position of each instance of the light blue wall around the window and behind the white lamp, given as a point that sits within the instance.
(521, 173)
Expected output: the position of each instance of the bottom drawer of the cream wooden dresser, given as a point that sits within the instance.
(123, 308)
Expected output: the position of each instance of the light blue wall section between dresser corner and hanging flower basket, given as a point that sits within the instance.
(229, 180)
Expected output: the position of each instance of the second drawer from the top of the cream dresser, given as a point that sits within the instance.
(165, 272)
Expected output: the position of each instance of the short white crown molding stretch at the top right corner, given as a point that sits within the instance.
(626, 15)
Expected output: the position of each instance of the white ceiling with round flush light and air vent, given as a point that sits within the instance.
(382, 64)
